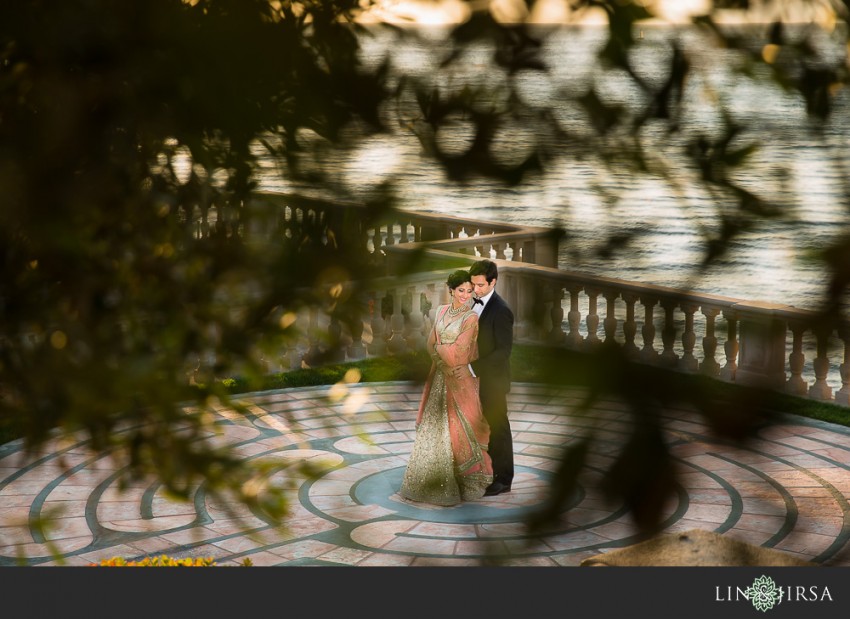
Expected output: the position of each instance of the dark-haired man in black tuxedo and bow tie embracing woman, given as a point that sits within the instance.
(493, 367)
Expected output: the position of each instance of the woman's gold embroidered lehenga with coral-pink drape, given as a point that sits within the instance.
(449, 462)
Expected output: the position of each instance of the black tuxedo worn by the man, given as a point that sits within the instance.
(493, 368)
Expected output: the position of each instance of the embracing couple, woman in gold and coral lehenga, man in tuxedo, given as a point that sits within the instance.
(463, 448)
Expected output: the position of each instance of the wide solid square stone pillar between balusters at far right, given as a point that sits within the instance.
(761, 360)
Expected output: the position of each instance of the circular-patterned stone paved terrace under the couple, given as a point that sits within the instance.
(787, 490)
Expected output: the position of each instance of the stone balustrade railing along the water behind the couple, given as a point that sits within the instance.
(742, 341)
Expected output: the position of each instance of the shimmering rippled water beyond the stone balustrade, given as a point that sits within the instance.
(799, 167)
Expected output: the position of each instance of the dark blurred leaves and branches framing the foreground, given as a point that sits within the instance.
(132, 142)
